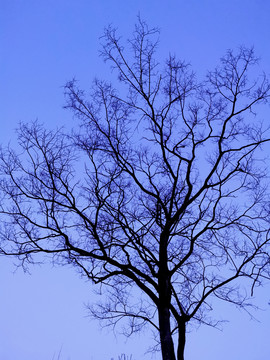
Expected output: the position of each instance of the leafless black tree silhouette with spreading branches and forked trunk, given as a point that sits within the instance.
(161, 193)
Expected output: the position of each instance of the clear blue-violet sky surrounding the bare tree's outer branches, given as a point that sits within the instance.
(45, 43)
